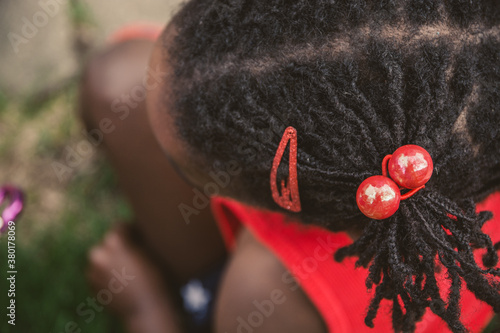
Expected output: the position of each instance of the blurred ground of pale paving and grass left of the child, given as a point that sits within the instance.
(44, 46)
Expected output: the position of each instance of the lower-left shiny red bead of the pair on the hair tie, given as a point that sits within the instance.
(378, 197)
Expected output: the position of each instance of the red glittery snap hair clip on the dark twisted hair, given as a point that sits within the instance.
(289, 198)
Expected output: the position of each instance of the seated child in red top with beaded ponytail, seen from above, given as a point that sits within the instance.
(281, 113)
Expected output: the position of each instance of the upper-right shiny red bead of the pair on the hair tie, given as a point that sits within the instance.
(410, 166)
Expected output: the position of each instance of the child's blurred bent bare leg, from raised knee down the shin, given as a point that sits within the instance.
(146, 177)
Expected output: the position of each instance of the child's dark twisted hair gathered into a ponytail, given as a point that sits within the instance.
(357, 79)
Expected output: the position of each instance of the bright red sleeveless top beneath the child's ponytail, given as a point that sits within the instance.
(338, 289)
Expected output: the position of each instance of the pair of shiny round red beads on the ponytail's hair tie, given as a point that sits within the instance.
(410, 167)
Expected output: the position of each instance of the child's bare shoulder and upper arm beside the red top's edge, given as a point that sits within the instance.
(254, 298)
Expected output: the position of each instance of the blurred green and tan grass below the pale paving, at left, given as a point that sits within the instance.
(53, 235)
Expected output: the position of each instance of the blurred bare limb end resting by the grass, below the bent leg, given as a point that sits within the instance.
(127, 283)
